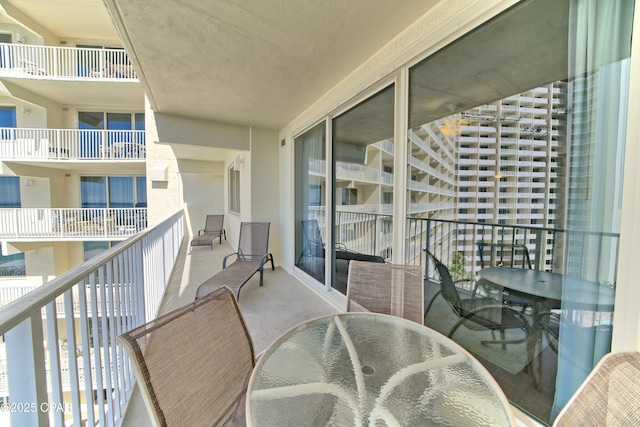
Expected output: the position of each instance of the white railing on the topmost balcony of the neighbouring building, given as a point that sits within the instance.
(51, 62)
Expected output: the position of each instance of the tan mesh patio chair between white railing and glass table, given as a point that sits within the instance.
(193, 364)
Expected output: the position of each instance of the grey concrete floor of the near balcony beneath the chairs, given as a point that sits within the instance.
(282, 303)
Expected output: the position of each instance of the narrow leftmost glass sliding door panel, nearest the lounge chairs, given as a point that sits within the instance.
(310, 203)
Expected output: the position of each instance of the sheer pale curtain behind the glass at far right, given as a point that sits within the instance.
(599, 49)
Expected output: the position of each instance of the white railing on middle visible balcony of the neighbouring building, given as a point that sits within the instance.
(72, 144)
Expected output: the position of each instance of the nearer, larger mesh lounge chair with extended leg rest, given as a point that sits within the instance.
(253, 253)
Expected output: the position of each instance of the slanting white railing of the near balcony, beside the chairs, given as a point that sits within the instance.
(125, 285)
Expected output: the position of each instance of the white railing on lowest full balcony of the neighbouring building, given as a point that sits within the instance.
(71, 223)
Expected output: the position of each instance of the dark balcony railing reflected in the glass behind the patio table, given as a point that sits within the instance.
(550, 249)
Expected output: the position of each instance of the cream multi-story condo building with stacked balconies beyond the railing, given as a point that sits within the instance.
(72, 148)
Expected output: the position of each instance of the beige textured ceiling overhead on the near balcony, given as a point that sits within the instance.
(253, 62)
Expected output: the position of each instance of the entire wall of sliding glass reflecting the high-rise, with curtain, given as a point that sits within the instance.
(515, 134)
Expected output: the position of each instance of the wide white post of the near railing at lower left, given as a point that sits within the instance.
(27, 375)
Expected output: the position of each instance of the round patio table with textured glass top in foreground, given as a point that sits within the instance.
(366, 369)
